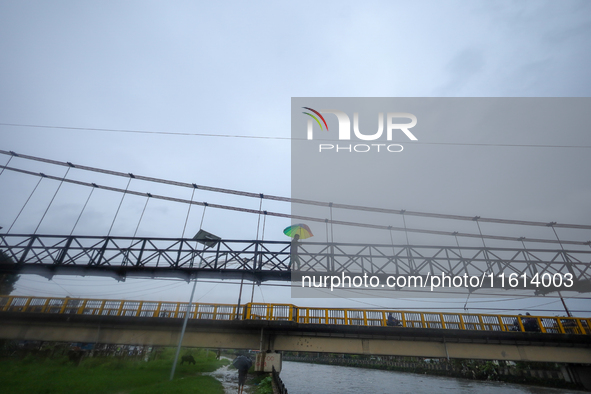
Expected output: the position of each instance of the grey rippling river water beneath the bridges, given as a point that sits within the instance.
(302, 378)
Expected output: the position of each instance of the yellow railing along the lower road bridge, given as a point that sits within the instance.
(301, 315)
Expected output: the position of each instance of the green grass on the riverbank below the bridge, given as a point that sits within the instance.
(109, 375)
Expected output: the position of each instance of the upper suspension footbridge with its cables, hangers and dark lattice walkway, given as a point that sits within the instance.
(262, 260)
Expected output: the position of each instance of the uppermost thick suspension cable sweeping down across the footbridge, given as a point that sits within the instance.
(301, 201)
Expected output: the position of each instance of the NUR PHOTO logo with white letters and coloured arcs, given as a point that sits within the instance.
(345, 130)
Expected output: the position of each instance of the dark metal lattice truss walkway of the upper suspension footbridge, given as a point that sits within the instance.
(272, 260)
